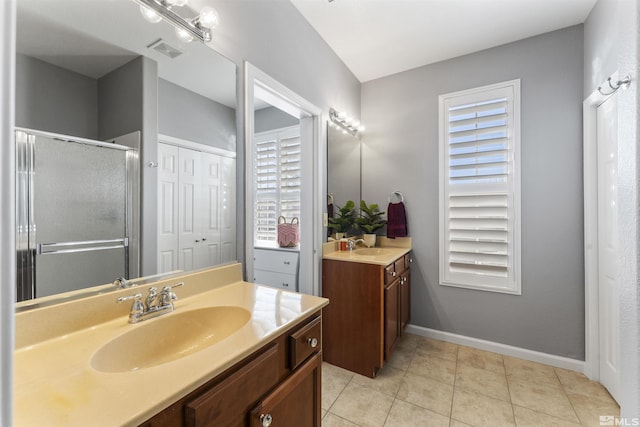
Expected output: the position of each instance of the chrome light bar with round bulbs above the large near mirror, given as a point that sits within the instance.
(187, 29)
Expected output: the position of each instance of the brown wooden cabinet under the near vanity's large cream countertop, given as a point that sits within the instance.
(282, 380)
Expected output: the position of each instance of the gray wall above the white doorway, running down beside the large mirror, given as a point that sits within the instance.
(273, 36)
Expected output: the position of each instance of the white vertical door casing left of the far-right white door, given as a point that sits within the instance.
(590, 177)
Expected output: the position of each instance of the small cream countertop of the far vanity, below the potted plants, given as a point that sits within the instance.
(392, 249)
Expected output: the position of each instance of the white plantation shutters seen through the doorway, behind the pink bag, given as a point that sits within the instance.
(277, 178)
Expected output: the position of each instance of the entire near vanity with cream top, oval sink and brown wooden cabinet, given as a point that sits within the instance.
(232, 353)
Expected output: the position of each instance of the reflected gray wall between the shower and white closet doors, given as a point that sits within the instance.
(128, 102)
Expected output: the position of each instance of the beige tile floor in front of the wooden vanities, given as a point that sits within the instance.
(433, 383)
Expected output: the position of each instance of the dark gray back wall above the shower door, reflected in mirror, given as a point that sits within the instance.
(53, 99)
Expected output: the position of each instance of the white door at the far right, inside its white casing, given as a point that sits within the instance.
(608, 260)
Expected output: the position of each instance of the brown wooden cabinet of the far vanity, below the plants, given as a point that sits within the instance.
(370, 307)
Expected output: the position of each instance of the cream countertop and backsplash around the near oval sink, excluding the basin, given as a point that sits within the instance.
(54, 383)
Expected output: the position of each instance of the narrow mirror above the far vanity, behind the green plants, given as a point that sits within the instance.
(343, 167)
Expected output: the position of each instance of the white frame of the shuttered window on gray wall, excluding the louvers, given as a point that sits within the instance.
(448, 276)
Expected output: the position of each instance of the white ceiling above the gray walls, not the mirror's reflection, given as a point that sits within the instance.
(376, 38)
